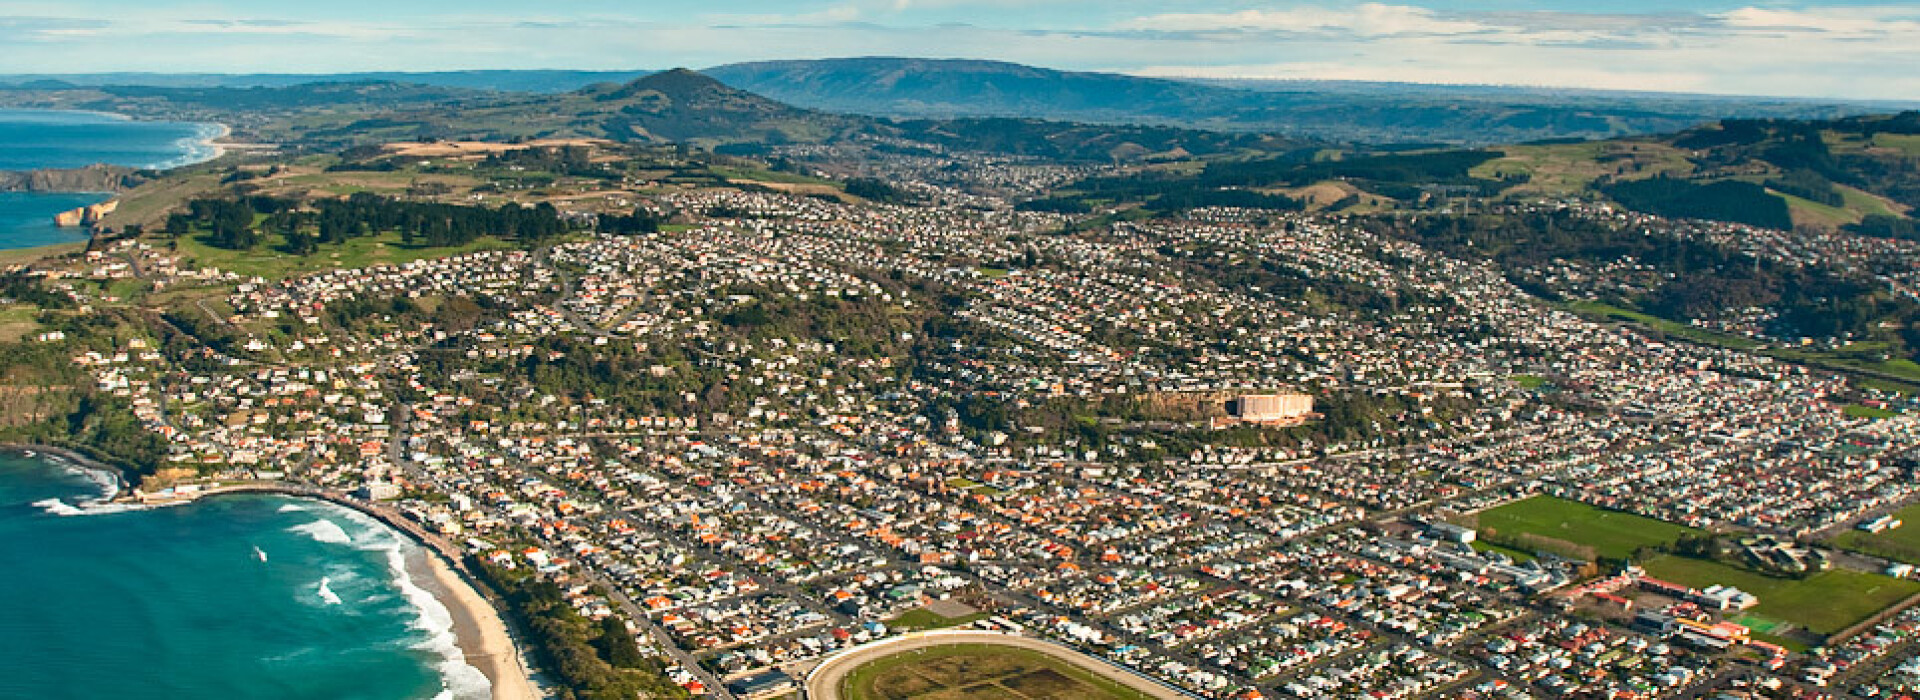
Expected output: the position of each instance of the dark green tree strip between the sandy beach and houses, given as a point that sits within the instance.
(594, 661)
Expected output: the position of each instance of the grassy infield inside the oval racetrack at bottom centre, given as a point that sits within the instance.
(969, 672)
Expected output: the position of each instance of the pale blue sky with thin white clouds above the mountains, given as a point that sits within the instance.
(1860, 51)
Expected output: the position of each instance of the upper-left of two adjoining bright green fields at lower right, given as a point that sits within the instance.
(1606, 532)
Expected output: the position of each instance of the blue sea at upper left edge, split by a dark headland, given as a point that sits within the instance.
(39, 139)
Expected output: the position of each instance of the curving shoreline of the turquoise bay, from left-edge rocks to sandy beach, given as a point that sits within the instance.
(481, 628)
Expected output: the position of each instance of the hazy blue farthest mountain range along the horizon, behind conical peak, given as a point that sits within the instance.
(965, 89)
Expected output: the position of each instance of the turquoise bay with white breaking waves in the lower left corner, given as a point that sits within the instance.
(231, 597)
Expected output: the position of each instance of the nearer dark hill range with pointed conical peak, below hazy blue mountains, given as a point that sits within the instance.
(663, 108)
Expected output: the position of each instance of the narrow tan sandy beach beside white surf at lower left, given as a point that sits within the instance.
(479, 630)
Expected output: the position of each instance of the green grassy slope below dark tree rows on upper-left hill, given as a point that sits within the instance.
(272, 264)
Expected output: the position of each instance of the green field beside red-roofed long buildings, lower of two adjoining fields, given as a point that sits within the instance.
(1823, 603)
